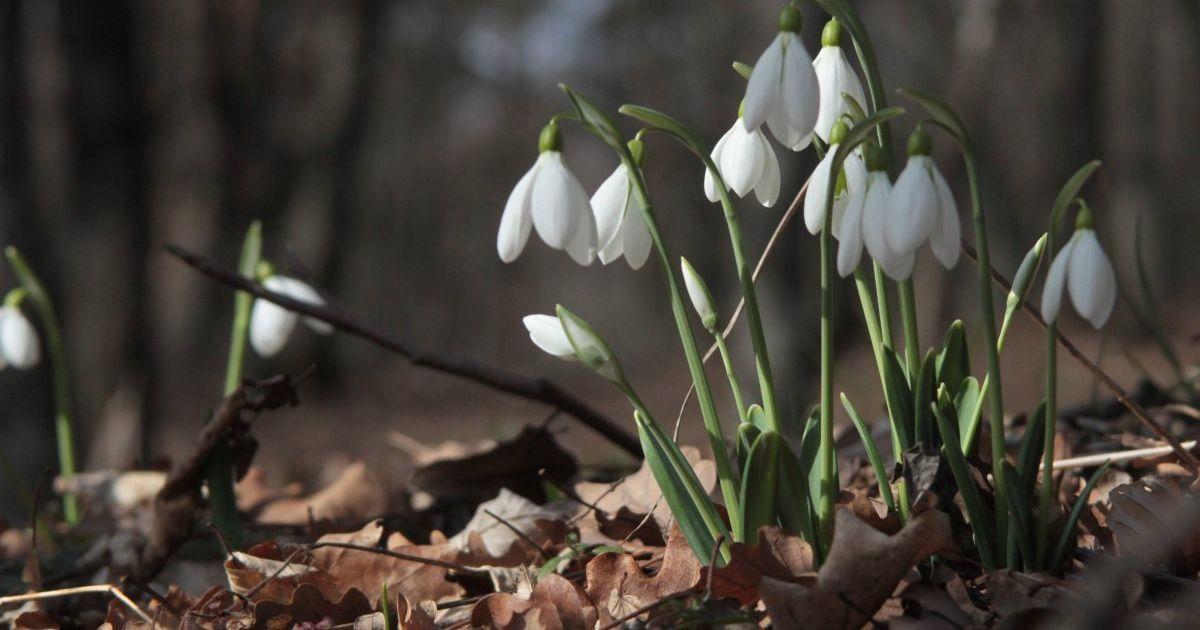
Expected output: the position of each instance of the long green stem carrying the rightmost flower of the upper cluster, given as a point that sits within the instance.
(988, 310)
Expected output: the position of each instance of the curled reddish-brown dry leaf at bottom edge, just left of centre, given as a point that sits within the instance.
(555, 604)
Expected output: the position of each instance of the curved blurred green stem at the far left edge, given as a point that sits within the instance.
(62, 385)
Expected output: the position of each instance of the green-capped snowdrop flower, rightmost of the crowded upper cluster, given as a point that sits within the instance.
(923, 207)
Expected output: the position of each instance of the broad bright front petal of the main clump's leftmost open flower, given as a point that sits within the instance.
(557, 195)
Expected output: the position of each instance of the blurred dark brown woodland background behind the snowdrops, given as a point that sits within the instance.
(380, 140)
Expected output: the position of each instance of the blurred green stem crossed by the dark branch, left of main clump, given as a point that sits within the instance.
(223, 501)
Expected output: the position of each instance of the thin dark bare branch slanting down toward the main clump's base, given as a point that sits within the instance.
(536, 389)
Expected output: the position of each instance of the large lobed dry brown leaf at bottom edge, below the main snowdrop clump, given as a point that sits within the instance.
(862, 571)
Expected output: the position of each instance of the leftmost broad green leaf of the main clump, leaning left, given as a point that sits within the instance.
(687, 499)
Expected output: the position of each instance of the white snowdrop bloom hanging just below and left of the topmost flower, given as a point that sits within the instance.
(747, 163)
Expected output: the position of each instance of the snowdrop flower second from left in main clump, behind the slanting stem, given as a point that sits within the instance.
(621, 229)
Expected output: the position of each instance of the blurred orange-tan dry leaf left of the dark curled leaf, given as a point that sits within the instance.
(357, 495)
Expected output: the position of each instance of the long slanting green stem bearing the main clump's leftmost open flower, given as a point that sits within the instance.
(695, 365)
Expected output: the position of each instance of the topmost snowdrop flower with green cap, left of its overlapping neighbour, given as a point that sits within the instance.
(783, 91)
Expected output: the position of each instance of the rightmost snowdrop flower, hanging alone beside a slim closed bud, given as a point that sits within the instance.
(1083, 269)
